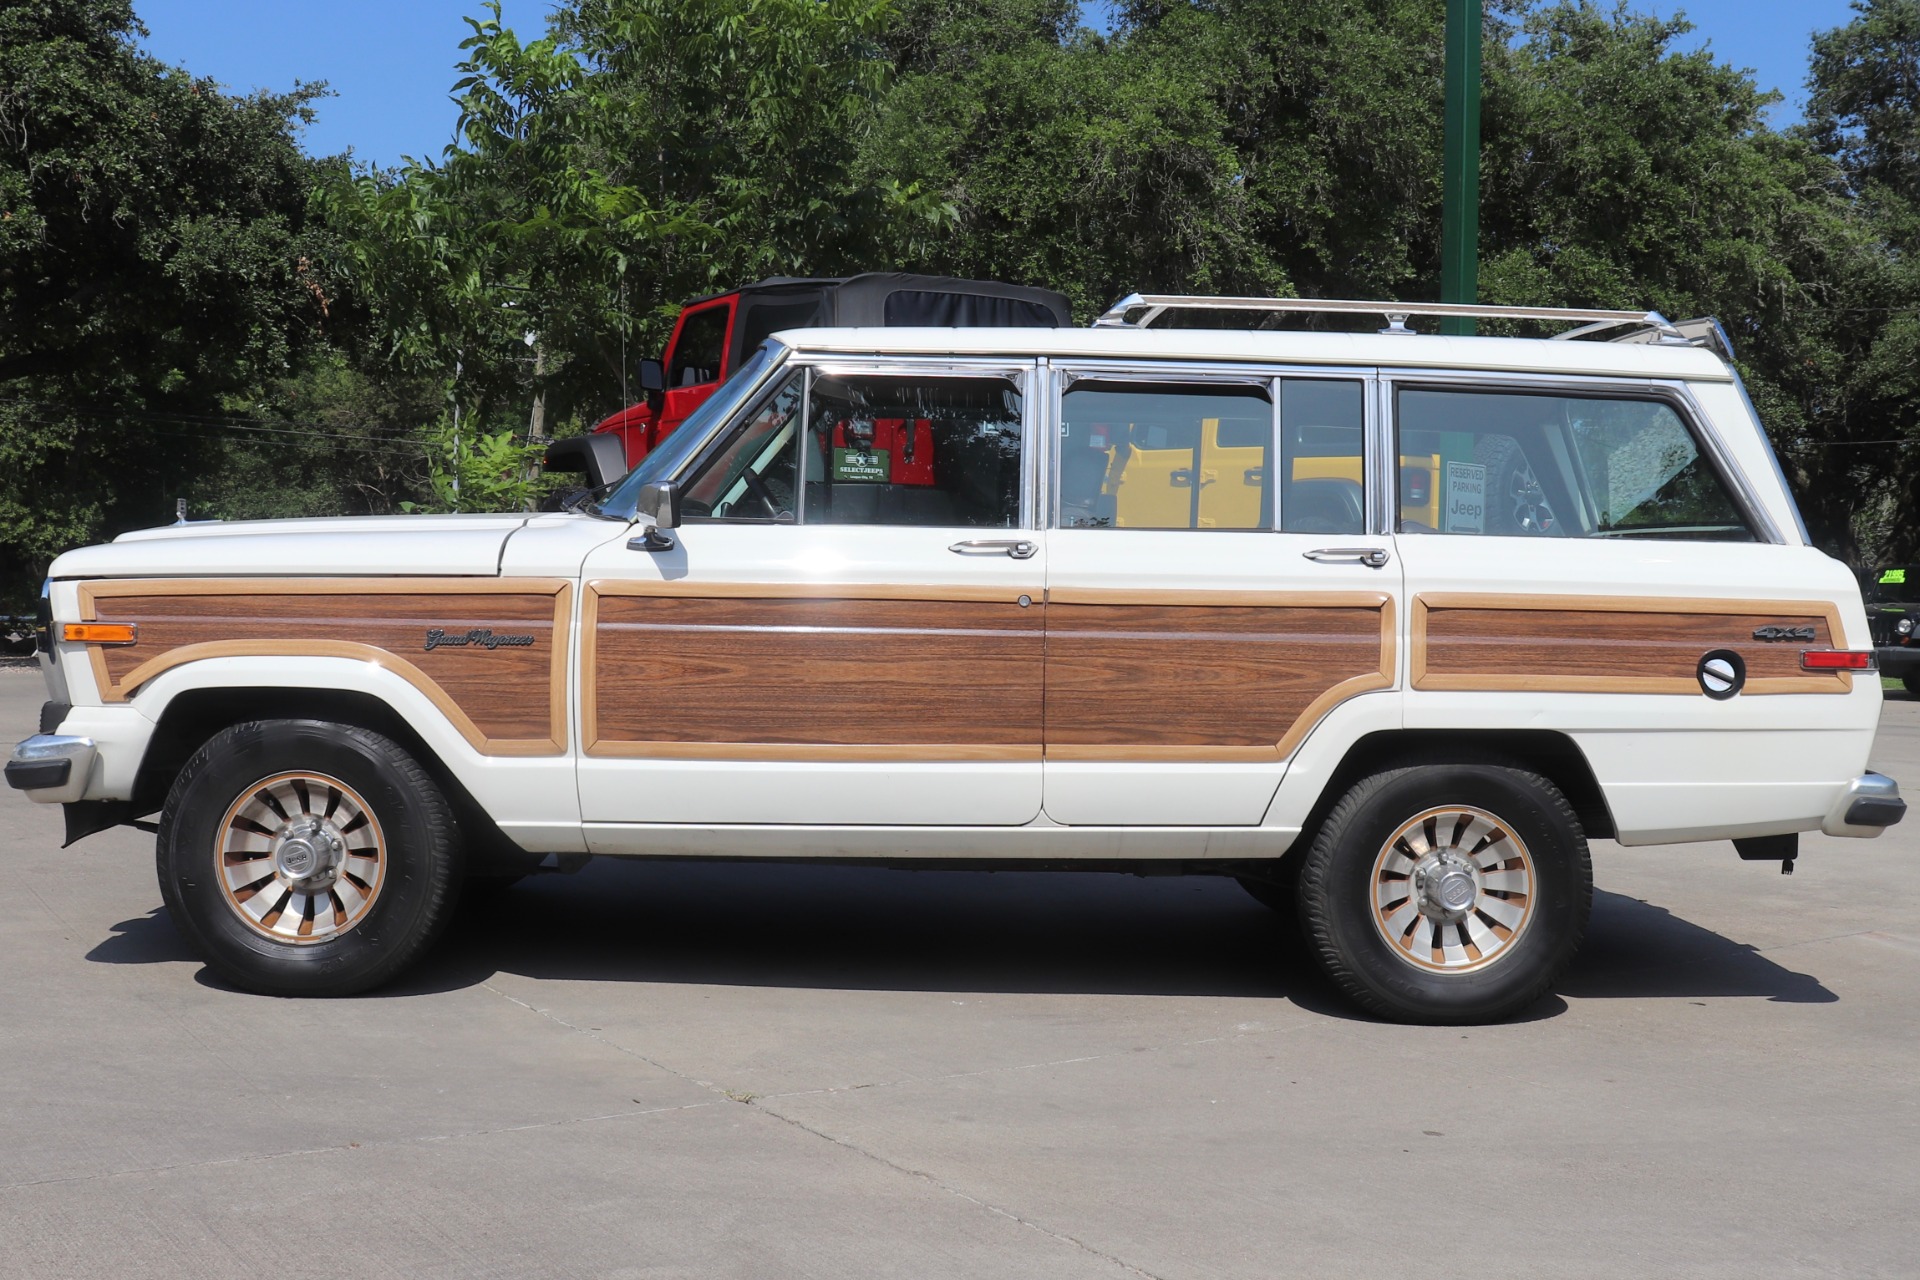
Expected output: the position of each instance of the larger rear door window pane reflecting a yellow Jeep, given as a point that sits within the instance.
(1140, 456)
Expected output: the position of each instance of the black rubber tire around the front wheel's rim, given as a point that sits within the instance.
(398, 916)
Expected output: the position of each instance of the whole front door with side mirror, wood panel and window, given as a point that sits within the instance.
(848, 628)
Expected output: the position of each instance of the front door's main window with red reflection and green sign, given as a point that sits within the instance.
(926, 452)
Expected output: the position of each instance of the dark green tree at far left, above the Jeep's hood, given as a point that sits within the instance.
(155, 258)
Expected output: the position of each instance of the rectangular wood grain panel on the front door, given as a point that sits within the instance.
(813, 676)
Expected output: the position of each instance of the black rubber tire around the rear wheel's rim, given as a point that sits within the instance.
(1351, 939)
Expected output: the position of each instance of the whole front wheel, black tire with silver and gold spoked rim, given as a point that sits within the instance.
(306, 859)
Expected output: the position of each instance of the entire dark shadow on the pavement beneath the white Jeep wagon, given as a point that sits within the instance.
(969, 932)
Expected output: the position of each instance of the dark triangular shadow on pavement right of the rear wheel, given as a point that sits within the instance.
(1646, 953)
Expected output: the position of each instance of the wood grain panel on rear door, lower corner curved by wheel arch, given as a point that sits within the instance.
(1207, 678)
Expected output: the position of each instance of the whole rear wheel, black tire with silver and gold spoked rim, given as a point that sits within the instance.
(1449, 893)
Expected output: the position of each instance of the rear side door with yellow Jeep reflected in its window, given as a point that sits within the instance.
(1197, 628)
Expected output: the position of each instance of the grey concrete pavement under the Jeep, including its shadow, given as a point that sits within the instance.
(679, 1070)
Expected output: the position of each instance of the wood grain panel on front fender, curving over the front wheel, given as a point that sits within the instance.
(506, 698)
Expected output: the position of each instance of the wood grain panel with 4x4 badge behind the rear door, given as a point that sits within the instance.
(1612, 644)
